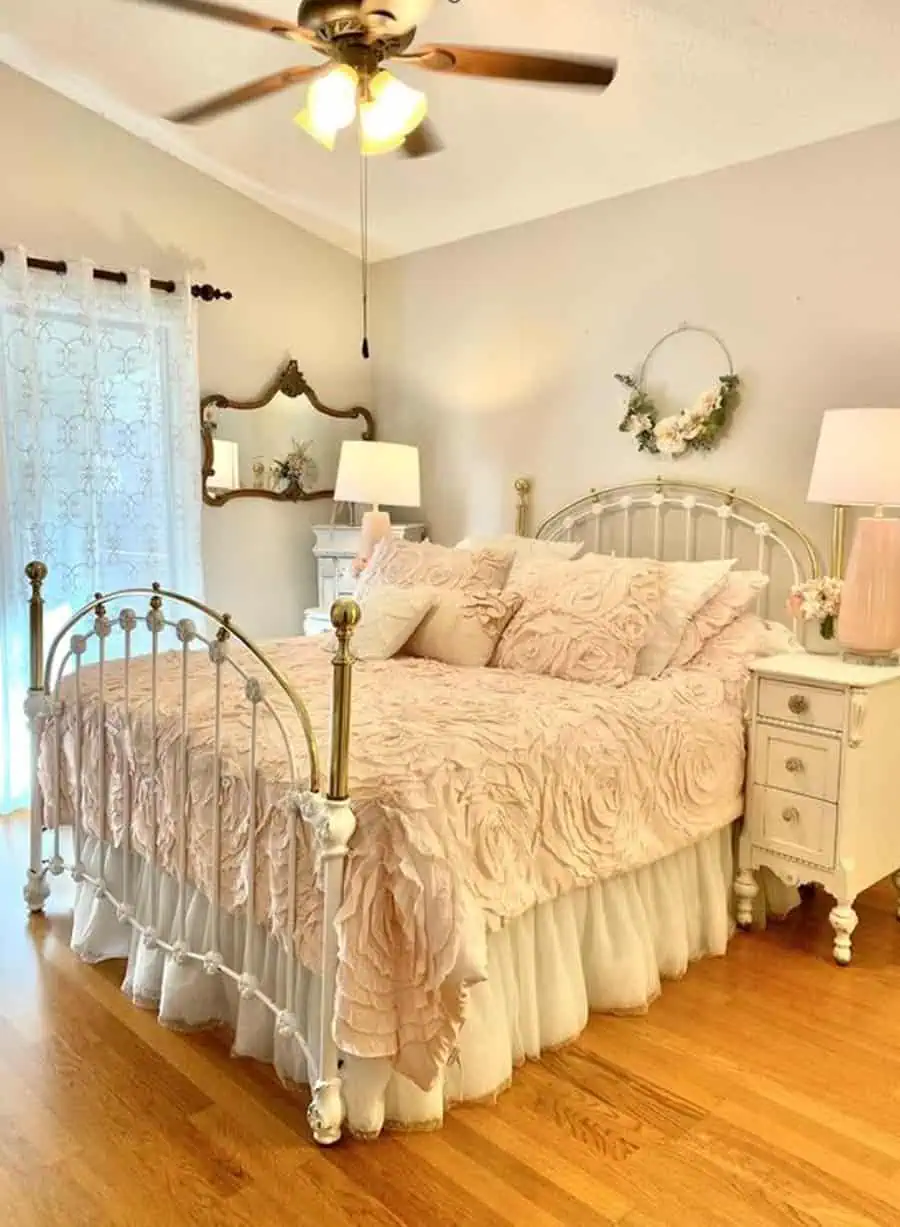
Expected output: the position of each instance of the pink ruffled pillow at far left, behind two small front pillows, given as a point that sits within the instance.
(425, 565)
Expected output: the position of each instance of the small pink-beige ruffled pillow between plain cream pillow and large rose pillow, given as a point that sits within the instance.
(464, 626)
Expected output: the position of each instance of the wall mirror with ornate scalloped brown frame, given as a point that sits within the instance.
(283, 446)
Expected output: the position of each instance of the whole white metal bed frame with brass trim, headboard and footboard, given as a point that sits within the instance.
(331, 817)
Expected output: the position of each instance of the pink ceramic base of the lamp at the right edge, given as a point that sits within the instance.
(869, 629)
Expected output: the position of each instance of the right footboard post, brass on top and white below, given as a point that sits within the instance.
(336, 829)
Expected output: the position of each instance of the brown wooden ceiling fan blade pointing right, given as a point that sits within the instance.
(513, 66)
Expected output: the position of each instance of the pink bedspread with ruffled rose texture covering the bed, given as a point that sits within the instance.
(479, 793)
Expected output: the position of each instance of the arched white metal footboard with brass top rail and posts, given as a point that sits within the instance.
(331, 818)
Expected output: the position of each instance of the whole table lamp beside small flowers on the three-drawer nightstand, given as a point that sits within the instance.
(858, 464)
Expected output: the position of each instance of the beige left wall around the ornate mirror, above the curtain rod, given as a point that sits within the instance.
(77, 186)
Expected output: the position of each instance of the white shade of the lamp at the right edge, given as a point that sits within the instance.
(858, 461)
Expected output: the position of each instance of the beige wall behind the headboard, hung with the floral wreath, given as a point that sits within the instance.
(498, 354)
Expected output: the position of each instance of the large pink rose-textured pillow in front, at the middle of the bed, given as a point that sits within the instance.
(585, 620)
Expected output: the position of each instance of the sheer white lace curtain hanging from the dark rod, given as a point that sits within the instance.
(100, 457)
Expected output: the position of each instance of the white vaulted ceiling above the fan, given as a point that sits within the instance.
(703, 84)
